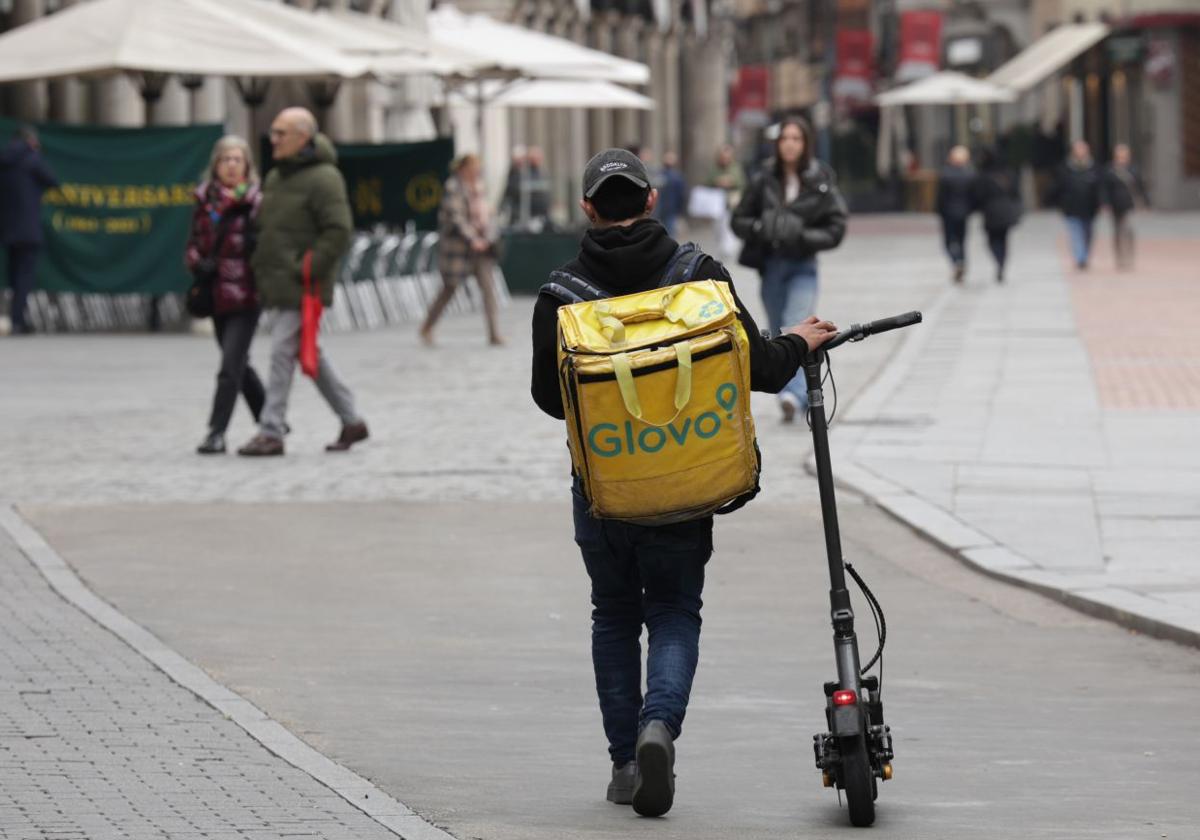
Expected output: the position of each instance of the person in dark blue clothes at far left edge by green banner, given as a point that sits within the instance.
(25, 177)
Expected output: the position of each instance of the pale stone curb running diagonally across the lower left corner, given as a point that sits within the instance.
(364, 796)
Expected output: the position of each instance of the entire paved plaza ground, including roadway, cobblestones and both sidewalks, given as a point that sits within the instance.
(415, 610)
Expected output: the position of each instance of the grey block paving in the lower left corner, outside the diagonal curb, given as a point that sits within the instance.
(97, 743)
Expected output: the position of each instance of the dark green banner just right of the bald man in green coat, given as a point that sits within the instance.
(394, 184)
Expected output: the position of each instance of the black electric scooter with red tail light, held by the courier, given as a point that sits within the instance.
(856, 753)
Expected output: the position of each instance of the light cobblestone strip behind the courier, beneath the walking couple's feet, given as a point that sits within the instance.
(97, 419)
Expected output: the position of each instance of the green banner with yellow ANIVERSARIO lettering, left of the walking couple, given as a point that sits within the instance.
(121, 219)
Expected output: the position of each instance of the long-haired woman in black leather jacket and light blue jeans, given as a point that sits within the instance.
(791, 212)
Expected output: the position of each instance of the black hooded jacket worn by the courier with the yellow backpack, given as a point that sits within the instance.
(628, 260)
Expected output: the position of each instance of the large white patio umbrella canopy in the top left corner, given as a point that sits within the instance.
(199, 38)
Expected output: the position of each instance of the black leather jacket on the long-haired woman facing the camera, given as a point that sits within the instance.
(814, 221)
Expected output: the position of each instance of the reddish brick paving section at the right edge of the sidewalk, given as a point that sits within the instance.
(1142, 327)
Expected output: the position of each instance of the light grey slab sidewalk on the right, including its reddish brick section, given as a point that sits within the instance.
(1047, 430)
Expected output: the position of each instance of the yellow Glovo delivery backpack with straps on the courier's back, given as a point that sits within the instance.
(657, 392)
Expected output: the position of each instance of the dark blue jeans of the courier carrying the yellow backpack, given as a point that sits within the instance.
(653, 577)
